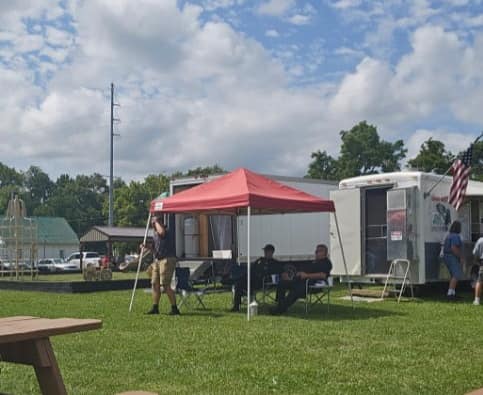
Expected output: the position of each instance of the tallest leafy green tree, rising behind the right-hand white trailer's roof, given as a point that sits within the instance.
(363, 152)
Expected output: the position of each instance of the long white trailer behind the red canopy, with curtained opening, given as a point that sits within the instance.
(293, 235)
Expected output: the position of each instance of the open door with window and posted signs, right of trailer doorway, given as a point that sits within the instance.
(401, 224)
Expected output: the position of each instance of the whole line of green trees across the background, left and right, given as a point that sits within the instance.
(83, 200)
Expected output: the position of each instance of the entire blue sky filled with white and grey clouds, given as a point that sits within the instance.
(258, 84)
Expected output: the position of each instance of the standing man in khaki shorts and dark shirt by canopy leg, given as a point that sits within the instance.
(163, 267)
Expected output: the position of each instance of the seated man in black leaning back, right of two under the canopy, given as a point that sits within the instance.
(319, 269)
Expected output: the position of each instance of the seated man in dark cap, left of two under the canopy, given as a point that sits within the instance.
(260, 269)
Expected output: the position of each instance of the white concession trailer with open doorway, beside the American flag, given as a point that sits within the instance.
(388, 216)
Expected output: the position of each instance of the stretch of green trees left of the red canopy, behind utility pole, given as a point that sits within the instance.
(84, 200)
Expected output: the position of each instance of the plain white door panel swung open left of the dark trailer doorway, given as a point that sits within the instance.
(348, 208)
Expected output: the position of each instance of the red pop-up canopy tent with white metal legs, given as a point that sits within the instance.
(244, 192)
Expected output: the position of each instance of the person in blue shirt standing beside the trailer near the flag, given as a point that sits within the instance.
(452, 256)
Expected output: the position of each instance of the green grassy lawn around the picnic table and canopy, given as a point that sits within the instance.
(426, 346)
